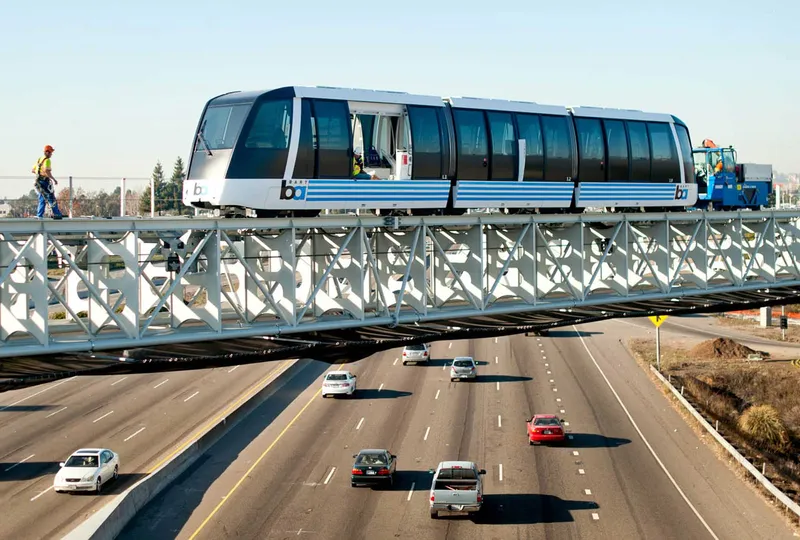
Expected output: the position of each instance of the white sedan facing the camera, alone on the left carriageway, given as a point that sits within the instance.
(87, 469)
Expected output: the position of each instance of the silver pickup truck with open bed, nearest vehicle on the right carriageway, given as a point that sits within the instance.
(457, 487)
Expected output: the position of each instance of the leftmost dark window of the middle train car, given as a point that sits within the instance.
(472, 145)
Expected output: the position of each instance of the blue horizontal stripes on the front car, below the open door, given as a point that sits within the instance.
(378, 190)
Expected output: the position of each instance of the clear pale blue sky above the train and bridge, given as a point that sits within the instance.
(116, 86)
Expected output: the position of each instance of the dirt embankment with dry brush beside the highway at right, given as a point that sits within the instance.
(757, 403)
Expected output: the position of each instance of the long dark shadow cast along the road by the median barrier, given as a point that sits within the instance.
(172, 508)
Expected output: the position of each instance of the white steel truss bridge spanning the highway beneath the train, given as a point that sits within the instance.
(176, 293)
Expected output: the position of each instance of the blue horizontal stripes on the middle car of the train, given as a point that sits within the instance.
(530, 191)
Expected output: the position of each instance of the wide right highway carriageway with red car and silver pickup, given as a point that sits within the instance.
(632, 469)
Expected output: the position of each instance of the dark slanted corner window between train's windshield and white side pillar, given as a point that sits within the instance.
(264, 149)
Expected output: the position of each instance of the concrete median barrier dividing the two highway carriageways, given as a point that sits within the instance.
(110, 520)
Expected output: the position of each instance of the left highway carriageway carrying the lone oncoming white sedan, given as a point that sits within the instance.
(141, 417)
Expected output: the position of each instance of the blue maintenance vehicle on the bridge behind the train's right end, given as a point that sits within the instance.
(724, 184)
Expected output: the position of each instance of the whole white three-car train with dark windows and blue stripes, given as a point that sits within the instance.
(292, 151)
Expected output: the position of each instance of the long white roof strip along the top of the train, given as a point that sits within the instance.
(404, 98)
